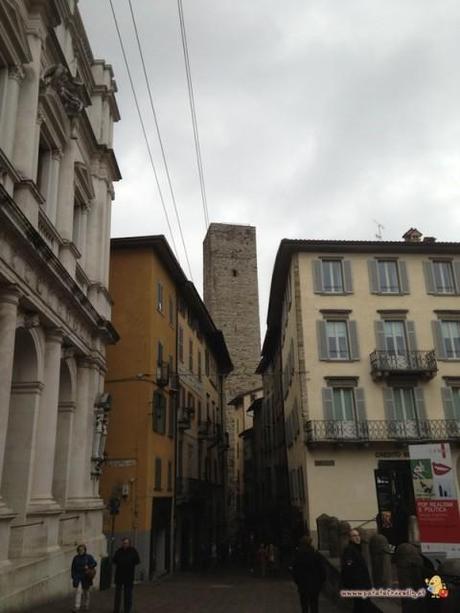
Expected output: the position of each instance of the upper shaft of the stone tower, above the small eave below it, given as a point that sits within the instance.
(232, 297)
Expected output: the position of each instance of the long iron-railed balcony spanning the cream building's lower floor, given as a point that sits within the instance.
(378, 431)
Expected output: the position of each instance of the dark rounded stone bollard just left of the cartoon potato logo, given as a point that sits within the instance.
(411, 573)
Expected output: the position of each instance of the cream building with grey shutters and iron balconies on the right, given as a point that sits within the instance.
(369, 337)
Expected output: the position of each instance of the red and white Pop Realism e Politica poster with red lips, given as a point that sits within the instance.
(435, 490)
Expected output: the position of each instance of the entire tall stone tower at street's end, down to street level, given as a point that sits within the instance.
(232, 298)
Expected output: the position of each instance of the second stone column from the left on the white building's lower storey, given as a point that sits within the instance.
(45, 438)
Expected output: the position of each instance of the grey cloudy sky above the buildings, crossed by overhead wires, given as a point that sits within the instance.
(316, 118)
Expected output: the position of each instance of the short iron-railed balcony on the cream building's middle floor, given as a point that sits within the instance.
(389, 363)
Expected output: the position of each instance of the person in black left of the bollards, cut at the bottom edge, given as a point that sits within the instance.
(309, 574)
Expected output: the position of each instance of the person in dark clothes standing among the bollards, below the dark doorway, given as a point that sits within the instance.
(355, 574)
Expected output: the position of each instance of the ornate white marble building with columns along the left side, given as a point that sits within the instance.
(57, 109)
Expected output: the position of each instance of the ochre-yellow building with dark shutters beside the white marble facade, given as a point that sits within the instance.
(150, 292)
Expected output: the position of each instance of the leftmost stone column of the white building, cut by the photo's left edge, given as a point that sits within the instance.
(9, 298)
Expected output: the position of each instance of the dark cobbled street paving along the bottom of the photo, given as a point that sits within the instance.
(217, 592)
